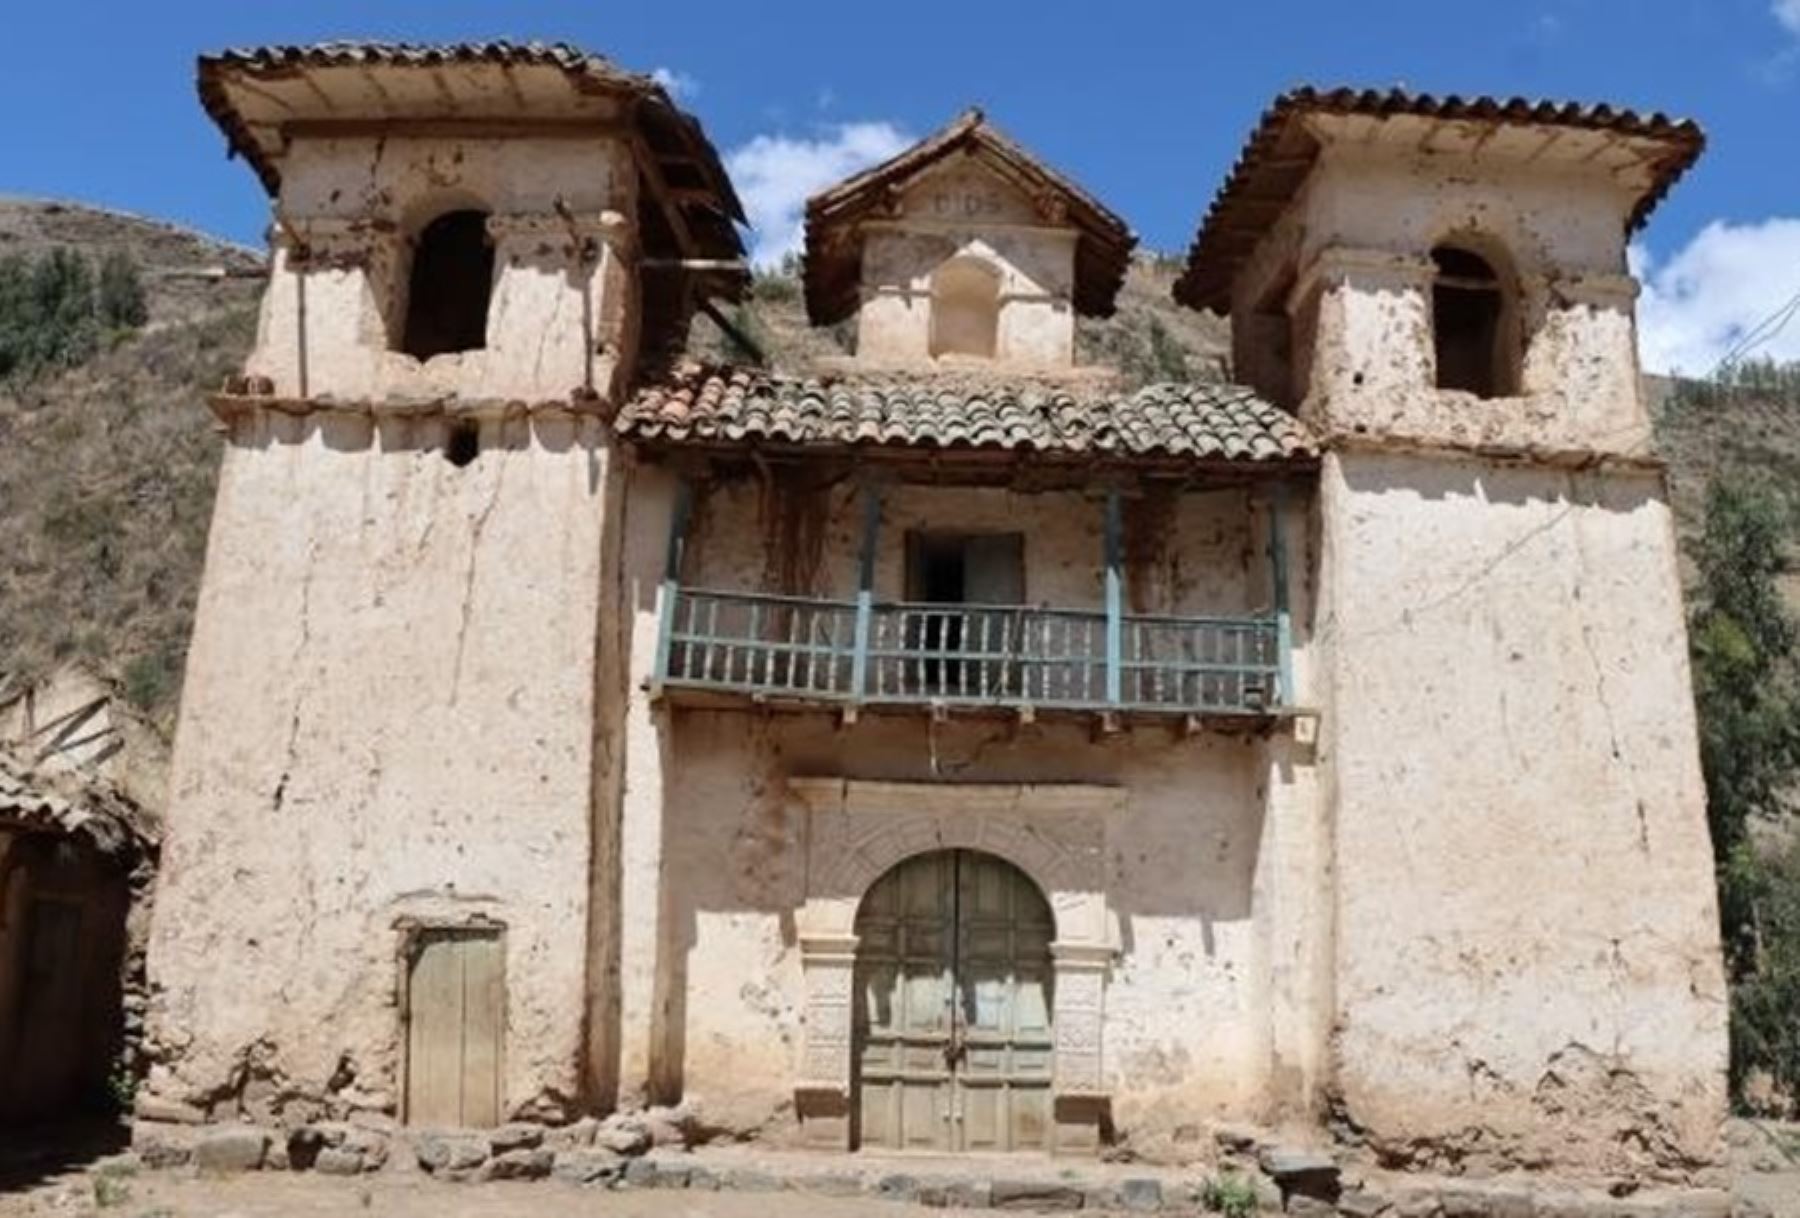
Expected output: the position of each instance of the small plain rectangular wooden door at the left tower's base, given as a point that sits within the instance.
(454, 1028)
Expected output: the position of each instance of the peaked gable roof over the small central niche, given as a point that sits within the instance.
(836, 215)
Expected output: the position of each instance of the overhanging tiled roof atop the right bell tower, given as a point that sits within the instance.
(1282, 150)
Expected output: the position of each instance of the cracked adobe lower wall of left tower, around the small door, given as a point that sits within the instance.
(388, 721)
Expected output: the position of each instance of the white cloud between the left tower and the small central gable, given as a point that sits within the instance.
(775, 175)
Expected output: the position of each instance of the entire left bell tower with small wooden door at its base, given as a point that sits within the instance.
(393, 749)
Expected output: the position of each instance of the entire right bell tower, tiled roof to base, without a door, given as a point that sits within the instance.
(1525, 927)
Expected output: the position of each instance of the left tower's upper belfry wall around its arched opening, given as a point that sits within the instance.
(562, 312)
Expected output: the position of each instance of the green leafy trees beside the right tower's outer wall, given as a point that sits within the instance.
(1745, 690)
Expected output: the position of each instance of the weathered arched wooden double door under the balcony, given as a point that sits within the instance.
(953, 1041)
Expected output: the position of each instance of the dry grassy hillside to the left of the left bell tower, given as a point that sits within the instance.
(107, 470)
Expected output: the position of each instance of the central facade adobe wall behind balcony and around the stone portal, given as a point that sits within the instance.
(1216, 1001)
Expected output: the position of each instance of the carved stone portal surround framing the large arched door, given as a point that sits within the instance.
(859, 830)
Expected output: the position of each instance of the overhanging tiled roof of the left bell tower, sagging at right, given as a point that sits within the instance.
(258, 94)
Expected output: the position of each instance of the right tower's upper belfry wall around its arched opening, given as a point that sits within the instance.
(1353, 265)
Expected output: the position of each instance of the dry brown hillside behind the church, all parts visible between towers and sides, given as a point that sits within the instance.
(107, 470)
